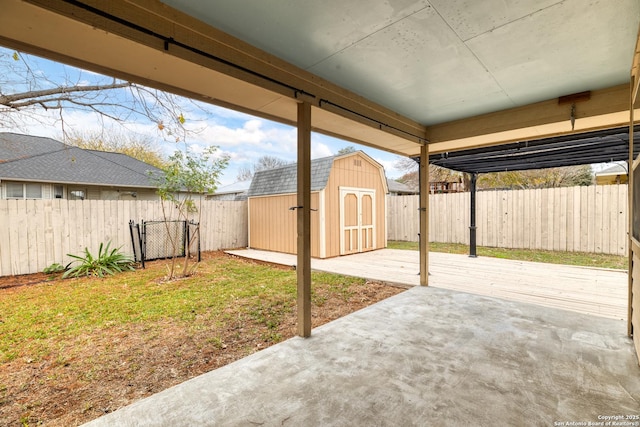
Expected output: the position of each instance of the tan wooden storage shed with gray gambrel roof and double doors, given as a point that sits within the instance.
(348, 202)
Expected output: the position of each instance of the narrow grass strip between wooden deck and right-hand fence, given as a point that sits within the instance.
(568, 258)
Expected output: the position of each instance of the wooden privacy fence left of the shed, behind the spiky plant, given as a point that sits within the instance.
(37, 233)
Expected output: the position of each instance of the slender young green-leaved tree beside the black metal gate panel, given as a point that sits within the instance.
(188, 175)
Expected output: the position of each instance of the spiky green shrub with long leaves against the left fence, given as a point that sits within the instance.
(107, 262)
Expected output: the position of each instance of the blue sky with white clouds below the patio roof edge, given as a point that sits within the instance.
(242, 137)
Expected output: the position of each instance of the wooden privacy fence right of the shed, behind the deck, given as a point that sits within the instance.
(575, 219)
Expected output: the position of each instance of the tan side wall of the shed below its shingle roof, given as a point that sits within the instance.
(272, 225)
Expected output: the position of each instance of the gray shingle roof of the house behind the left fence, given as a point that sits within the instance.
(31, 158)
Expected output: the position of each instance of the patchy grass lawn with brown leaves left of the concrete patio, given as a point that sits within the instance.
(72, 350)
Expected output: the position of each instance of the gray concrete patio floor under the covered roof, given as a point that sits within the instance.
(427, 356)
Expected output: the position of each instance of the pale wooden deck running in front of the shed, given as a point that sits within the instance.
(594, 291)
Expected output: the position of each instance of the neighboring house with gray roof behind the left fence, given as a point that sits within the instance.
(34, 167)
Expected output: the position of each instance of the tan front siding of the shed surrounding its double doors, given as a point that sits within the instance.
(356, 172)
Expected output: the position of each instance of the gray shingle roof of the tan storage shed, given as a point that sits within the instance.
(283, 180)
